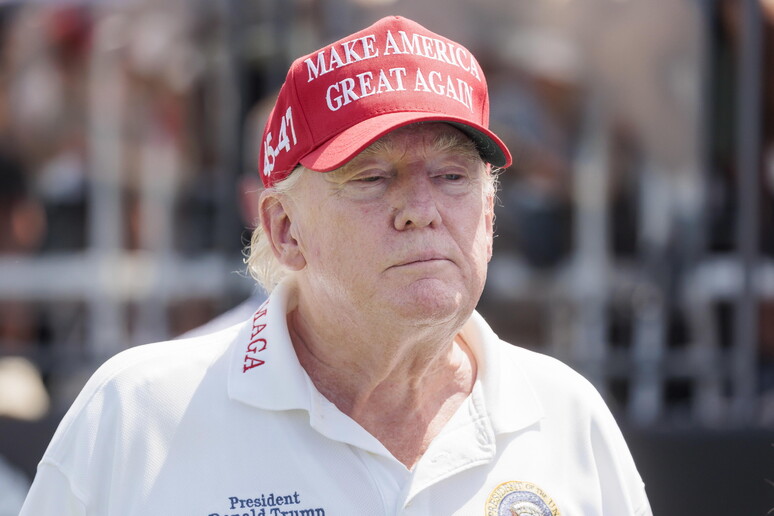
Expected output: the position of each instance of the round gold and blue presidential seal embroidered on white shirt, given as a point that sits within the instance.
(520, 499)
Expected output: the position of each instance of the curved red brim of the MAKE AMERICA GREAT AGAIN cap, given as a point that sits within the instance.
(341, 148)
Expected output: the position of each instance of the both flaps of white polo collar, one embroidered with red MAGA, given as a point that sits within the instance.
(265, 371)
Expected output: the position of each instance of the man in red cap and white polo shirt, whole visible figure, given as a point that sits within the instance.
(366, 384)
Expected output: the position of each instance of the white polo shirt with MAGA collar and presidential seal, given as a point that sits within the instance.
(229, 424)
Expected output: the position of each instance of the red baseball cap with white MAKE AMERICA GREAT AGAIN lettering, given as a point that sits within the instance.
(339, 100)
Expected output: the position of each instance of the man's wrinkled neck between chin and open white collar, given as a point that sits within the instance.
(402, 391)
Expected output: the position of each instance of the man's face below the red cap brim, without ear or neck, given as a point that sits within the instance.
(404, 230)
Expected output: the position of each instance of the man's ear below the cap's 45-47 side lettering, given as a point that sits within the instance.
(278, 228)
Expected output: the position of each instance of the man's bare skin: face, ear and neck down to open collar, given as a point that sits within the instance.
(390, 255)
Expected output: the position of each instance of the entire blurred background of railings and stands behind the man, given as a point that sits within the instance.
(635, 230)
